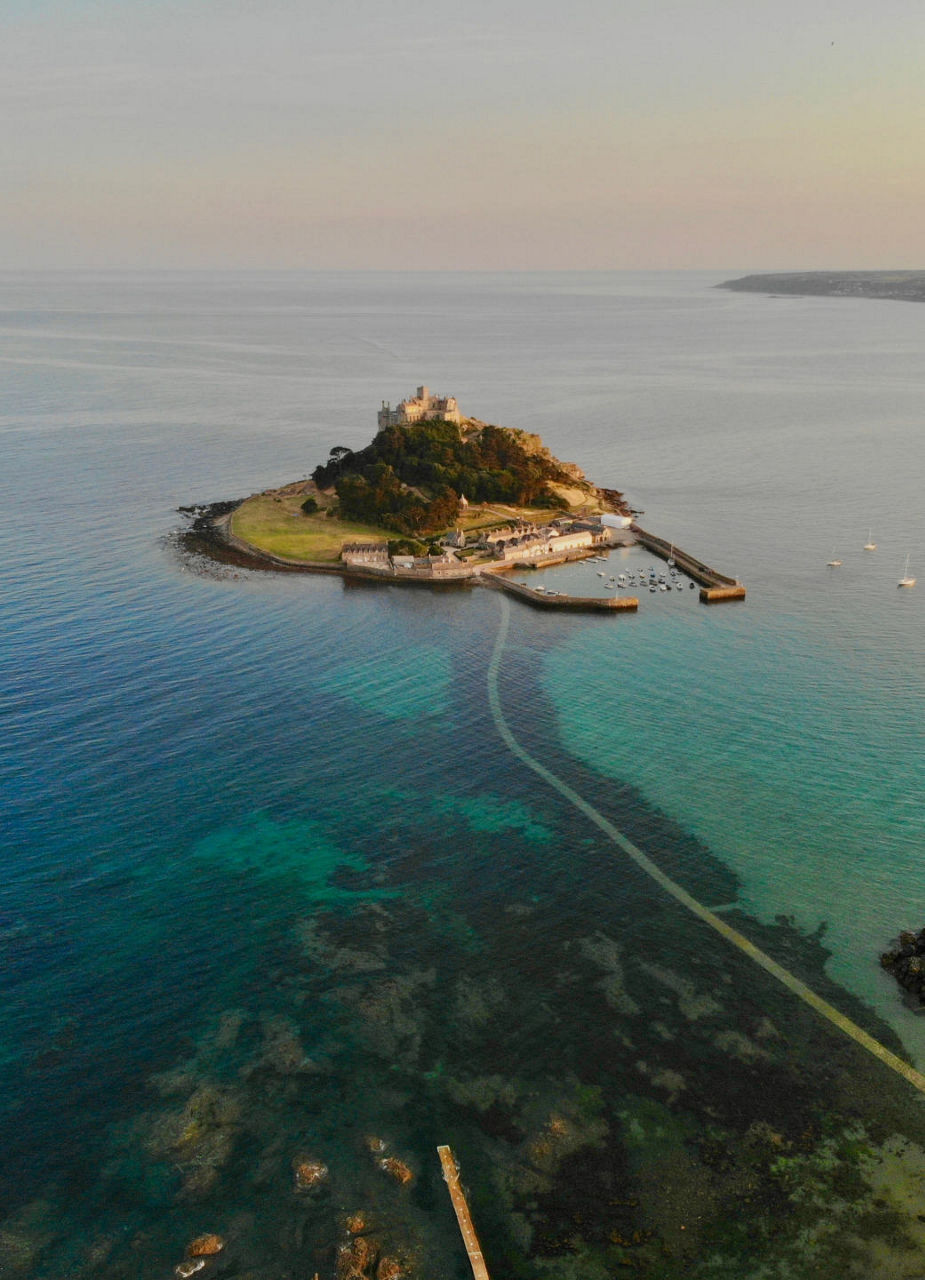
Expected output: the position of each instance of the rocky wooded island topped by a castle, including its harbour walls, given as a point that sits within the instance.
(438, 499)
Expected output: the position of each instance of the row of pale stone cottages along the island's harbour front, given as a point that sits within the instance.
(520, 542)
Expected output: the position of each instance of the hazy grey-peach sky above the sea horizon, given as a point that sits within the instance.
(422, 134)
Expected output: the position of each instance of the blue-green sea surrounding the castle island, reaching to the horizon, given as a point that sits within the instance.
(282, 911)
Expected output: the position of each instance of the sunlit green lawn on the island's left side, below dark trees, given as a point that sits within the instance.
(277, 525)
